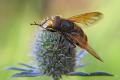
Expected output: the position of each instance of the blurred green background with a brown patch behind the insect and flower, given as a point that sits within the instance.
(16, 34)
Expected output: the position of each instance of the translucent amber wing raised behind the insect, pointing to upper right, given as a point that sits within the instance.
(86, 18)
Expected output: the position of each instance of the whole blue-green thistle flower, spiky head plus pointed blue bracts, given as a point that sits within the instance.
(54, 56)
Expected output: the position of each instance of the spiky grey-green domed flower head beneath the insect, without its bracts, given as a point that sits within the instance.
(53, 53)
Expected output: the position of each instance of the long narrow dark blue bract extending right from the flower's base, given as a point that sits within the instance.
(90, 74)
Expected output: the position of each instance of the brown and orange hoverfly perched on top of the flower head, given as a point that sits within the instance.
(71, 31)
